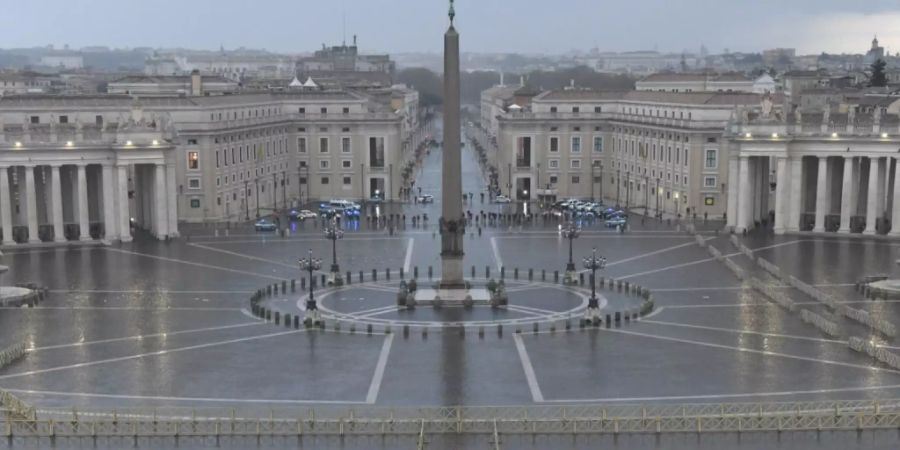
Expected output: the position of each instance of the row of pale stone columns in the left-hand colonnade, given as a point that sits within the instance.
(60, 202)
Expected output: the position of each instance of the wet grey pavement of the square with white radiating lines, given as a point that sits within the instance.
(151, 324)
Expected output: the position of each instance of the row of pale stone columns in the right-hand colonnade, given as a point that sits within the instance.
(848, 193)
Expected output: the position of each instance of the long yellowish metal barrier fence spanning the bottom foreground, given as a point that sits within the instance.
(577, 419)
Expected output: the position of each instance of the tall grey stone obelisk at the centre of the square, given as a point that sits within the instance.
(452, 220)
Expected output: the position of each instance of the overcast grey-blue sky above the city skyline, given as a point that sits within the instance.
(549, 26)
